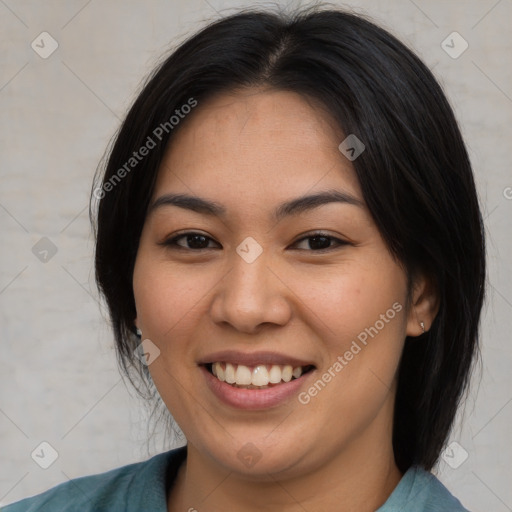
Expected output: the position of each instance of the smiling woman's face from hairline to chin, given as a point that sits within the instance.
(256, 292)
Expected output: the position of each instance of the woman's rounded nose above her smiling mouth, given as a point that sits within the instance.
(251, 296)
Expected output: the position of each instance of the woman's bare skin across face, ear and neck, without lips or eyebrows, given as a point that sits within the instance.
(250, 151)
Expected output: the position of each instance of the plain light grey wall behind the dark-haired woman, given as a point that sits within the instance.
(59, 379)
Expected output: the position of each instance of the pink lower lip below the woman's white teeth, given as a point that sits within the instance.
(254, 398)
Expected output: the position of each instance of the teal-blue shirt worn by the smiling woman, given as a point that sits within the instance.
(141, 487)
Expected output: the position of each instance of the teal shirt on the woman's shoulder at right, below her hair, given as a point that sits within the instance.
(421, 491)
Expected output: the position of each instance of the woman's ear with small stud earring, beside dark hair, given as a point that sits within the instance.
(423, 306)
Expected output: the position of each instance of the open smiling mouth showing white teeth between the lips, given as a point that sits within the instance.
(262, 376)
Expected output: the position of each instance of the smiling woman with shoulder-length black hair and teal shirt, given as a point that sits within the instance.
(291, 249)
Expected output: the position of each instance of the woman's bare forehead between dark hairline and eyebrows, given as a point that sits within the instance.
(259, 145)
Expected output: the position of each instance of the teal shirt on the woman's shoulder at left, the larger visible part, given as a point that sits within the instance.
(125, 488)
